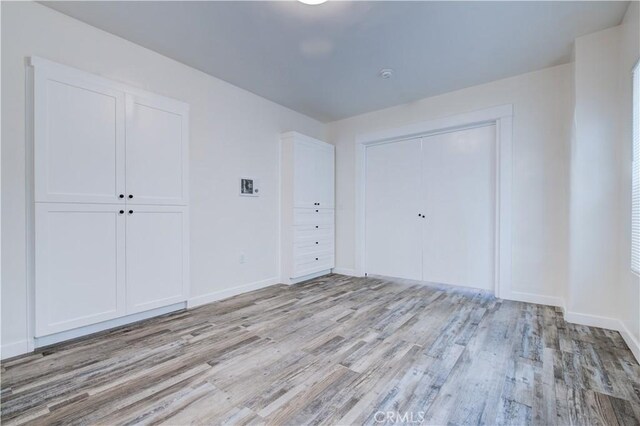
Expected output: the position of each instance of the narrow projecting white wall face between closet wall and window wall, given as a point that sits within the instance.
(595, 184)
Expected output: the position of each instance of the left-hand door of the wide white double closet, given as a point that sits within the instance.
(393, 204)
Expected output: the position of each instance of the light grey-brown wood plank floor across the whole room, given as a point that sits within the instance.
(335, 350)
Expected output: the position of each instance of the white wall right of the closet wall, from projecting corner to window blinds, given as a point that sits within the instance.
(602, 289)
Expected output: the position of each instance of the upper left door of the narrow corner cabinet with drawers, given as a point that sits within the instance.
(305, 174)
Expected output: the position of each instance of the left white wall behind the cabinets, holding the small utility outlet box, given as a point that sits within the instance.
(233, 133)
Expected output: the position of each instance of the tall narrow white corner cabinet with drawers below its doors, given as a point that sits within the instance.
(308, 207)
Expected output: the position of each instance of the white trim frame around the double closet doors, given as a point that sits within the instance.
(502, 118)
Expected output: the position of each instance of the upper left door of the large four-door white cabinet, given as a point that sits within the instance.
(78, 138)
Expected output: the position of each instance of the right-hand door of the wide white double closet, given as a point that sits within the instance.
(459, 194)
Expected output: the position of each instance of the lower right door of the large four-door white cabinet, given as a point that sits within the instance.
(157, 247)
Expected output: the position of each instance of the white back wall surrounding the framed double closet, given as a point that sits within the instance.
(542, 104)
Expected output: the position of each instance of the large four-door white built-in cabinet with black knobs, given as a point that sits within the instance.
(110, 197)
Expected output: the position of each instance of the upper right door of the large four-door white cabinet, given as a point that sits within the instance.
(157, 151)
